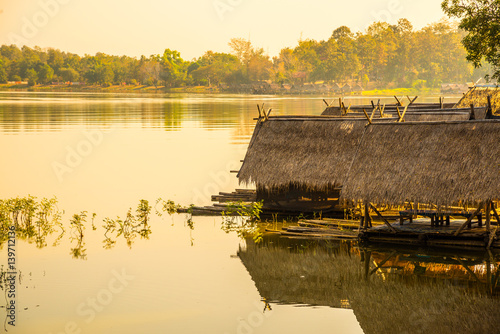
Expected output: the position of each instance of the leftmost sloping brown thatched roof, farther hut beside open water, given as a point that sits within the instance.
(313, 152)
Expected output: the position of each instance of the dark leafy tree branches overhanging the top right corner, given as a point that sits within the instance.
(481, 20)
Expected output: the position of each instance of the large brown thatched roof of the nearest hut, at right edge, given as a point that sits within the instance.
(427, 162)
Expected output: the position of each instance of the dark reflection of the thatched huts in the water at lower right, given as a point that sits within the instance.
(389, 290)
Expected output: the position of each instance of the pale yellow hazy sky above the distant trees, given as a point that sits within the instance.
(136, 27)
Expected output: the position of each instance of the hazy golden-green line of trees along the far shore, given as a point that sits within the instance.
(387, 55)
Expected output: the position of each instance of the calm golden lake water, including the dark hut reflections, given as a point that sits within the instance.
(103, 153)
